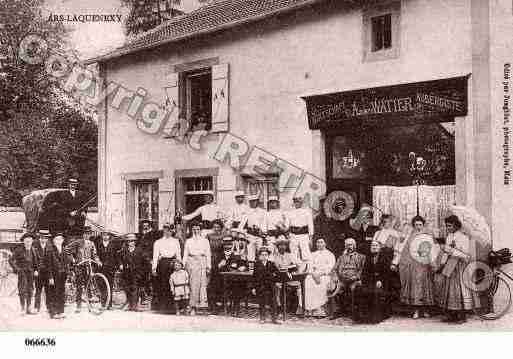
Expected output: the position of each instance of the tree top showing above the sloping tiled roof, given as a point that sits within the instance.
(145, 15)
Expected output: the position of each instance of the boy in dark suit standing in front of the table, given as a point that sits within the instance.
(265, 276)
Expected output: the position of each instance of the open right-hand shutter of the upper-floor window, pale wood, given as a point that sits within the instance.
(220, 95)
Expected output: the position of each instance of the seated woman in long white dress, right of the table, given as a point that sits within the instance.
(316, 283)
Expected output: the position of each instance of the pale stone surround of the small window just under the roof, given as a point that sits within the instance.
(394, 9)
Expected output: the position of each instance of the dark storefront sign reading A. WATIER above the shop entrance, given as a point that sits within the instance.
(440, 98)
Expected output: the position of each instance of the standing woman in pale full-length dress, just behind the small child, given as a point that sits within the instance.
(197, 261)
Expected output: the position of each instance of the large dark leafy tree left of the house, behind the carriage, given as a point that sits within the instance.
(45, 137)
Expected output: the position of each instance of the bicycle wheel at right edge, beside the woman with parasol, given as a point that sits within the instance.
(497, 300)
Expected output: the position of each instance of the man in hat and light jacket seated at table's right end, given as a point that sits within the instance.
(287, 263)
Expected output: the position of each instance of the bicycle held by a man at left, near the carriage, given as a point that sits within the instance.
(97, 290)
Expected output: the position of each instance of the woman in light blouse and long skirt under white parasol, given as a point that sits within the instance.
(457, 297)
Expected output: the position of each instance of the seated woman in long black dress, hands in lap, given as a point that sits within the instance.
(372, 297)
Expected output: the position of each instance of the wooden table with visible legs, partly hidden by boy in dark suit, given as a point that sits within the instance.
(247, 277)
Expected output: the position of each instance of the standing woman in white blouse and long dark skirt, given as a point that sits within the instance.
(166, 251)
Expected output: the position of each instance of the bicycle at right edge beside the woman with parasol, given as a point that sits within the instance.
(497, 296)
